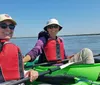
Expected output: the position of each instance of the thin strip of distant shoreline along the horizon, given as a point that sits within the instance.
(62, 35)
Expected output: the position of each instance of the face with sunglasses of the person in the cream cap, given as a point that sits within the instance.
(6, 29)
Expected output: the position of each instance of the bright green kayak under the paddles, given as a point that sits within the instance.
(83, 74)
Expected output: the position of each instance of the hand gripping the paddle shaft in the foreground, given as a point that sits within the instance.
(32, 74)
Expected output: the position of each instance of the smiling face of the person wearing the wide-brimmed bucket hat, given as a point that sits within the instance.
(53, 29)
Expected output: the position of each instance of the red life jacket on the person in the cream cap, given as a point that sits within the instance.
(11, 65)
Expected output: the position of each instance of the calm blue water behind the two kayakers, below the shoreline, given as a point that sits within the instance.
(73, 44)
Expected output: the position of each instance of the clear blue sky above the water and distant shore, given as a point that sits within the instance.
(75, 16)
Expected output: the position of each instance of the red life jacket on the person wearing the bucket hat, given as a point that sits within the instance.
(50, 50)
